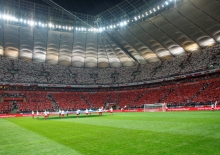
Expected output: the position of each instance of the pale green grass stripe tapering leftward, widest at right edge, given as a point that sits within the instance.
(205, 124)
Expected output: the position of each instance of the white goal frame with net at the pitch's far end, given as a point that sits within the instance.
(158, 107)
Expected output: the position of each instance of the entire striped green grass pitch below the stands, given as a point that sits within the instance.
(171, 133)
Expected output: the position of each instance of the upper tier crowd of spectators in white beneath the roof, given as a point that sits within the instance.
(21, 71)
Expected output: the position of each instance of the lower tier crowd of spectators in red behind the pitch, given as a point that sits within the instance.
(197, 91)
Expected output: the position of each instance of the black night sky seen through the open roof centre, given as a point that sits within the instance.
(91, 7)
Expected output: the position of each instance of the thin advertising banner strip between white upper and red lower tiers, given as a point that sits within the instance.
(113, 85)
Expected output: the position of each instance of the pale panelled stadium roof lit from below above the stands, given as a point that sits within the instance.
(184, 27)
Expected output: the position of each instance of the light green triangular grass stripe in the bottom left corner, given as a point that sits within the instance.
(20, 141)
